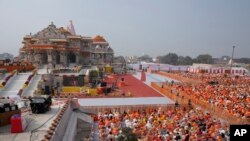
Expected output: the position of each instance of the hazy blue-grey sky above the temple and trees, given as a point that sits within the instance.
(136, 27)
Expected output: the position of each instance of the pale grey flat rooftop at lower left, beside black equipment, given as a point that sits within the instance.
(37, 125)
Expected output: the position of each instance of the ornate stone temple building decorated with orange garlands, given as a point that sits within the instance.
(59, 47)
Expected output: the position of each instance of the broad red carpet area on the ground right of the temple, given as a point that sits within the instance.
(137, 88)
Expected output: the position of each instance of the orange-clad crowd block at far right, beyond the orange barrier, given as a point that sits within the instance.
(230, 94)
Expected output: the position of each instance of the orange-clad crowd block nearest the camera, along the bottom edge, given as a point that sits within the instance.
(180, 124)
